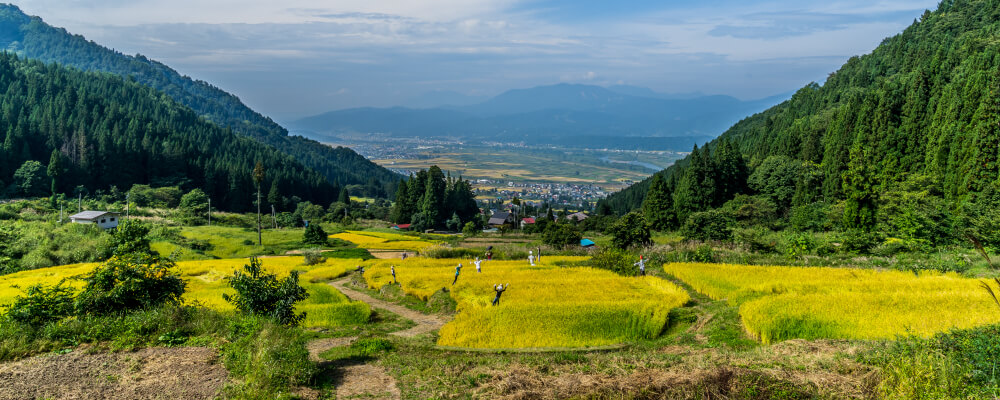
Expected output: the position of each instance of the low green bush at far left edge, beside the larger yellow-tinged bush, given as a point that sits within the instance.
(41, 305)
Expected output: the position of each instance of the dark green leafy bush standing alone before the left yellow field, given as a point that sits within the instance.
(262, 294)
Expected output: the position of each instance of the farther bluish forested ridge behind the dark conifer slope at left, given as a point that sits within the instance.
(30, 37)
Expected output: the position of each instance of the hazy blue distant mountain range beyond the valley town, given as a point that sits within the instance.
(570, 114)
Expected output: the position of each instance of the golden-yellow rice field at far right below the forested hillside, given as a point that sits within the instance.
(779, 303)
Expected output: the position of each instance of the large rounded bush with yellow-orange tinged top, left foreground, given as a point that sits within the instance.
(127, 283)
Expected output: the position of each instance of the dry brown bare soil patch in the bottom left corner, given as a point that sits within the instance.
(152, 373)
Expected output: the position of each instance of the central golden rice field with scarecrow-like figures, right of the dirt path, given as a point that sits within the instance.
(546, 305)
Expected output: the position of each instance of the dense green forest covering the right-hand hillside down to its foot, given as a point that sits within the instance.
(904, 140)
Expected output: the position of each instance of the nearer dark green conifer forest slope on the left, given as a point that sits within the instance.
(63, 128)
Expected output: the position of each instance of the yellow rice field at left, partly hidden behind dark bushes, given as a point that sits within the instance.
(325, 306)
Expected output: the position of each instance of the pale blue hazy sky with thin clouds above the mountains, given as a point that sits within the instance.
(293, 58)
